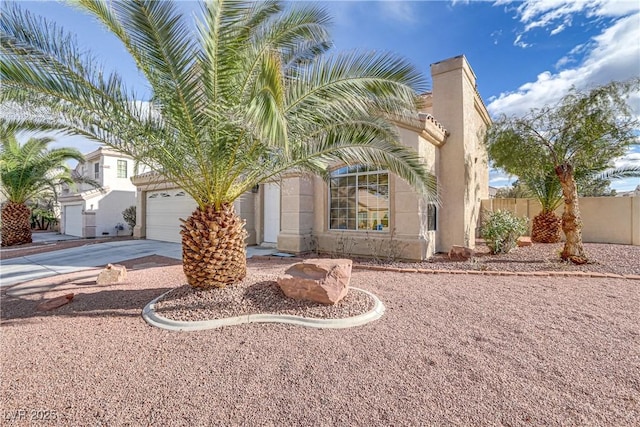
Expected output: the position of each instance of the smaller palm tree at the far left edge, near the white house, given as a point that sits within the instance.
(27, 171)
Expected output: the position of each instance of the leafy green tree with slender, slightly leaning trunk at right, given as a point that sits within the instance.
(577, 137)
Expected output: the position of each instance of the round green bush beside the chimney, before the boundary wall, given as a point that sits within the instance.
(501, 229)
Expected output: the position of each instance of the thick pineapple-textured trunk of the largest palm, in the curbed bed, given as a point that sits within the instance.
(213, 248)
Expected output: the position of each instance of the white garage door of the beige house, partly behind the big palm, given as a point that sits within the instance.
(164, 210)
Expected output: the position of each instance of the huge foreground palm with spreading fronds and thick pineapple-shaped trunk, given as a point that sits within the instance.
(251, 92)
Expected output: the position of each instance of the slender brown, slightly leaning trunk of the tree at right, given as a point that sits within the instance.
(571, 221)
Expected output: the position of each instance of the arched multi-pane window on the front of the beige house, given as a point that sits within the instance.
(359, 199)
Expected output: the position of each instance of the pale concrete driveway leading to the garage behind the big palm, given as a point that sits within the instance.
(23, 269)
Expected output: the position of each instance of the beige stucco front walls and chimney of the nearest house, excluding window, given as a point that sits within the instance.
(456, 157)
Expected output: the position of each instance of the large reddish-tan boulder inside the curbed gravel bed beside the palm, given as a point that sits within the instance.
(320, 280)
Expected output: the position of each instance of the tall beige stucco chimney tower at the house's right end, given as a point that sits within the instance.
(463, 173)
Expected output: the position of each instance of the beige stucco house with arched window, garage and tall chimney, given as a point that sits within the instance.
(362, 209)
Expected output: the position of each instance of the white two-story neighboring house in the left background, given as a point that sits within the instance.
(87, 211)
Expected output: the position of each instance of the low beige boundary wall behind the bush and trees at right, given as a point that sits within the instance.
(605, 219)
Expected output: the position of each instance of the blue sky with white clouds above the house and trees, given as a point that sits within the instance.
(525, 54)
